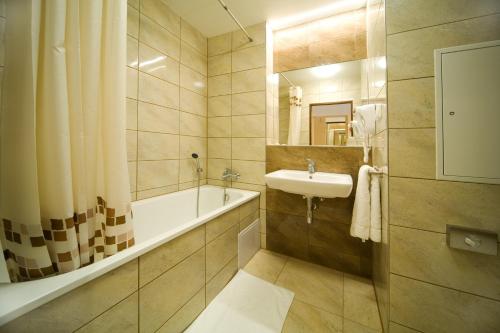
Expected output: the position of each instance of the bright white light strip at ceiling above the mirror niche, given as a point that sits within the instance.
(335, 8)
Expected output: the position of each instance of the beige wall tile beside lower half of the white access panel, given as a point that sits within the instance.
(412, 153)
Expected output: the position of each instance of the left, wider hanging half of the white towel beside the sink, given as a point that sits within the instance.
(360, 226)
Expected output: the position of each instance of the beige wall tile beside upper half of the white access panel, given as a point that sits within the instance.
(411, 103)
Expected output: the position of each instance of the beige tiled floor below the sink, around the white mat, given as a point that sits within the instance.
(325, 300)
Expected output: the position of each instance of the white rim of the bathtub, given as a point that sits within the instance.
(53, 287)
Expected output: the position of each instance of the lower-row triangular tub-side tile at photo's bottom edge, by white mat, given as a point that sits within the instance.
(186, 315)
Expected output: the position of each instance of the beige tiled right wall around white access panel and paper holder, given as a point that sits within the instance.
(432, 287)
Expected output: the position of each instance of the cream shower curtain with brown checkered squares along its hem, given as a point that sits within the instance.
(64, 185)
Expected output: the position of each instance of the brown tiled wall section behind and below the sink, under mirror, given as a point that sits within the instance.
(326, 241)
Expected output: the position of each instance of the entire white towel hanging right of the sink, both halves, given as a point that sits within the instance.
(366, 213)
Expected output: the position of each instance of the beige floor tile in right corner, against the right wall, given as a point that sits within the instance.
(360, 304)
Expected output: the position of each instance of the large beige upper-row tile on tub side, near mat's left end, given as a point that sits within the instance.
(159, 300)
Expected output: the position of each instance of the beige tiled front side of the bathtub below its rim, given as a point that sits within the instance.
(163, 290)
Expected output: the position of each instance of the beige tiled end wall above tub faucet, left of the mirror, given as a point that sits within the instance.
(237, 110)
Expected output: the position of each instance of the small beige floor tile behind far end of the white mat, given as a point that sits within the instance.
(266, 265)
